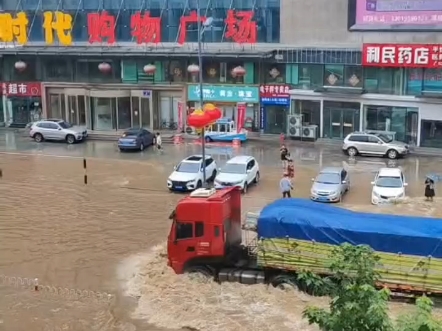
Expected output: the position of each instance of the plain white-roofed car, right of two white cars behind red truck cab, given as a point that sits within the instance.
(240, 171)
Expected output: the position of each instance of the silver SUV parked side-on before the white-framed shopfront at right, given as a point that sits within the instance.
(374, 144)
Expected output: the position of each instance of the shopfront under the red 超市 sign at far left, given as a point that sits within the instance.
(21, 103)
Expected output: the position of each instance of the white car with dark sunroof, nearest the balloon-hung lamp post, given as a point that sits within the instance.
(188, 174)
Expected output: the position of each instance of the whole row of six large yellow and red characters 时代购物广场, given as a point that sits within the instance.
(101, 27)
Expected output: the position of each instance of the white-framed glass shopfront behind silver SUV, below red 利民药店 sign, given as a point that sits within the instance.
(339, 116)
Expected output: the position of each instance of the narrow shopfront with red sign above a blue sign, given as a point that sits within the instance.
(275, 108)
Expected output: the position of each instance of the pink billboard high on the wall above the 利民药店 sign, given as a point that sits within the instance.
(397, 14)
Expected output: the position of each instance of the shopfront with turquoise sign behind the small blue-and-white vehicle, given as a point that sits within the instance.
(227, 98)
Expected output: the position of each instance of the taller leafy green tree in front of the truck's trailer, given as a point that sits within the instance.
(356, 304)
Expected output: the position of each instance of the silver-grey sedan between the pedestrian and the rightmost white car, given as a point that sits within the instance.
(330, 185)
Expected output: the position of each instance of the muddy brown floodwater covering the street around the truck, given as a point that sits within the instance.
(98, 251)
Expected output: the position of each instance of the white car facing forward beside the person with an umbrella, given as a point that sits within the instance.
(389, 183)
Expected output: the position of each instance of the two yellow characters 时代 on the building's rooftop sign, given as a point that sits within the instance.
(16, 29)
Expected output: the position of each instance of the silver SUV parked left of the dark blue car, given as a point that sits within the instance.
(55, 129)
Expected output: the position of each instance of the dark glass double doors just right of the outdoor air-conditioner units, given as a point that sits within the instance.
(340, 119)
